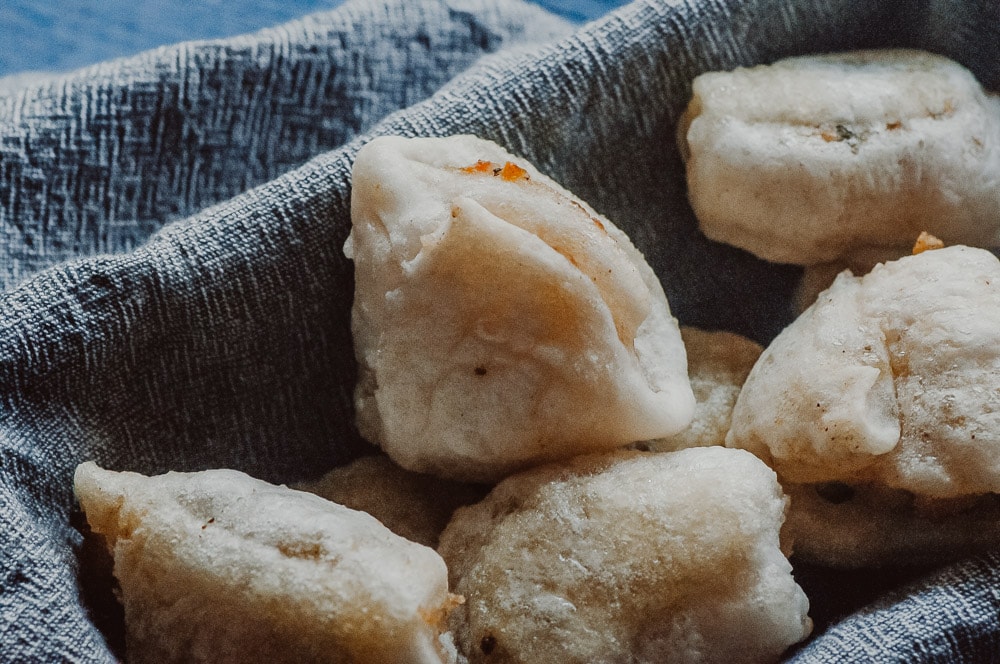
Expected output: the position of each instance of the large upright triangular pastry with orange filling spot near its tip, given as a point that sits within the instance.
(498, 321)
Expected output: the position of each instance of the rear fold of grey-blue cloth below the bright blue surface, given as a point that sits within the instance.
(97, 160)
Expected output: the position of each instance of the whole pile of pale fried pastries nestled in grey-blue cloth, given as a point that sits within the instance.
(571, 477)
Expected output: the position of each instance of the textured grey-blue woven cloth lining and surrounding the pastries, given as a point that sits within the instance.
(175, 295)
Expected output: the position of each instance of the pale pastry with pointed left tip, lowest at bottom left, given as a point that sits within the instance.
(219, 567)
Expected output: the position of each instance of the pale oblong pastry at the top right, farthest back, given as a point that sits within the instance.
(817, 159)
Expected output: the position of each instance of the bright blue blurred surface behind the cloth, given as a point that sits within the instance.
(58, 35)
